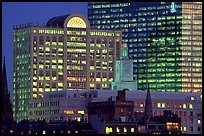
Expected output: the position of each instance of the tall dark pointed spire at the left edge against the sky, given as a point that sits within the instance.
(7, 114)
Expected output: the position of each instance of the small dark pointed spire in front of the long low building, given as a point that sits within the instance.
(148, 105)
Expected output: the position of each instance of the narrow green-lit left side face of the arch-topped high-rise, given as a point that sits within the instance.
(21, 72)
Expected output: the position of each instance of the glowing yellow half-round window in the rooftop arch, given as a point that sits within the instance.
(76, 22)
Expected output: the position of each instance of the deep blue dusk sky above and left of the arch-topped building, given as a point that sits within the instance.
(17, 13)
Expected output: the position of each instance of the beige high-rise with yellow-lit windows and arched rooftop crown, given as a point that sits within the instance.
(66, 54)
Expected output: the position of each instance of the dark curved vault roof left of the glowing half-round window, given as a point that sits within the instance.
(57, 21)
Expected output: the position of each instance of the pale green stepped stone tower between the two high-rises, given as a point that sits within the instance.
(124, 72)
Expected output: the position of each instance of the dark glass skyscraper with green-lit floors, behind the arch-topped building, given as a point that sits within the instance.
(172, 60)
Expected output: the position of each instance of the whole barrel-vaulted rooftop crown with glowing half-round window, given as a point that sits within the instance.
(70, 20)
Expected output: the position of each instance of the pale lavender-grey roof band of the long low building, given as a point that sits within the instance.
(133, 94)
